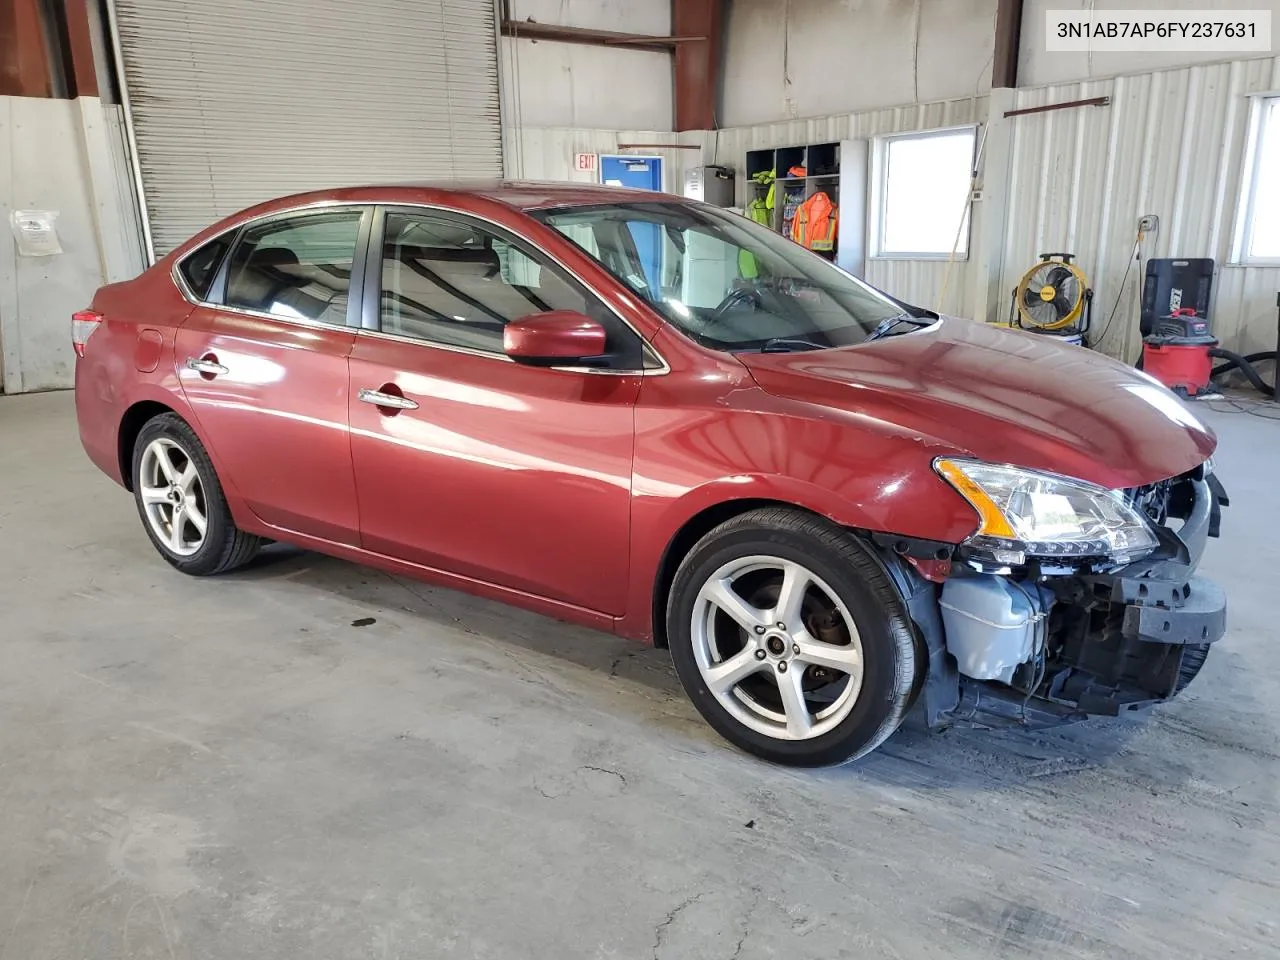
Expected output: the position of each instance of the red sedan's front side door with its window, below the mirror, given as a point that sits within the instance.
(509, 474)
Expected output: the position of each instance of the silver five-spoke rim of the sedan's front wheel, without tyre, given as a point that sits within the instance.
(778, 648)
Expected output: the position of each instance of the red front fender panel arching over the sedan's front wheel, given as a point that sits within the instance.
(711, 436)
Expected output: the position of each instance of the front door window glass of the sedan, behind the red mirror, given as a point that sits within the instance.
(456, 282)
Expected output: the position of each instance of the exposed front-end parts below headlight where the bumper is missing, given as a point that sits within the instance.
(1113, 642)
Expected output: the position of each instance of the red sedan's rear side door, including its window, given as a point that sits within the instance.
(263, 363)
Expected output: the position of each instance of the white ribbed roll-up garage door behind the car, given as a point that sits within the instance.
(235, 102)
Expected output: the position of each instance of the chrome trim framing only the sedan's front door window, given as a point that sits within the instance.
(372, 313)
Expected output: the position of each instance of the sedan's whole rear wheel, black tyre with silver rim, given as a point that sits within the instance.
(182, 504)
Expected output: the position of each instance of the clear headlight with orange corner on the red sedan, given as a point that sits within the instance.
(1027, 514)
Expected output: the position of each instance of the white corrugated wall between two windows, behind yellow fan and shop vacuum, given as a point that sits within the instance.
(1171, 144)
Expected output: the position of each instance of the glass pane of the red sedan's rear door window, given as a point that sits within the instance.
(298, 268)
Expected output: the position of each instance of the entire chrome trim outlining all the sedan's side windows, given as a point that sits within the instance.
(372, 263)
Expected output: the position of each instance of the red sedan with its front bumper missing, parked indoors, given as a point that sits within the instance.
(657, 418)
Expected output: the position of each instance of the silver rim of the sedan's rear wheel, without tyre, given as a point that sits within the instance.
(173, 497)
